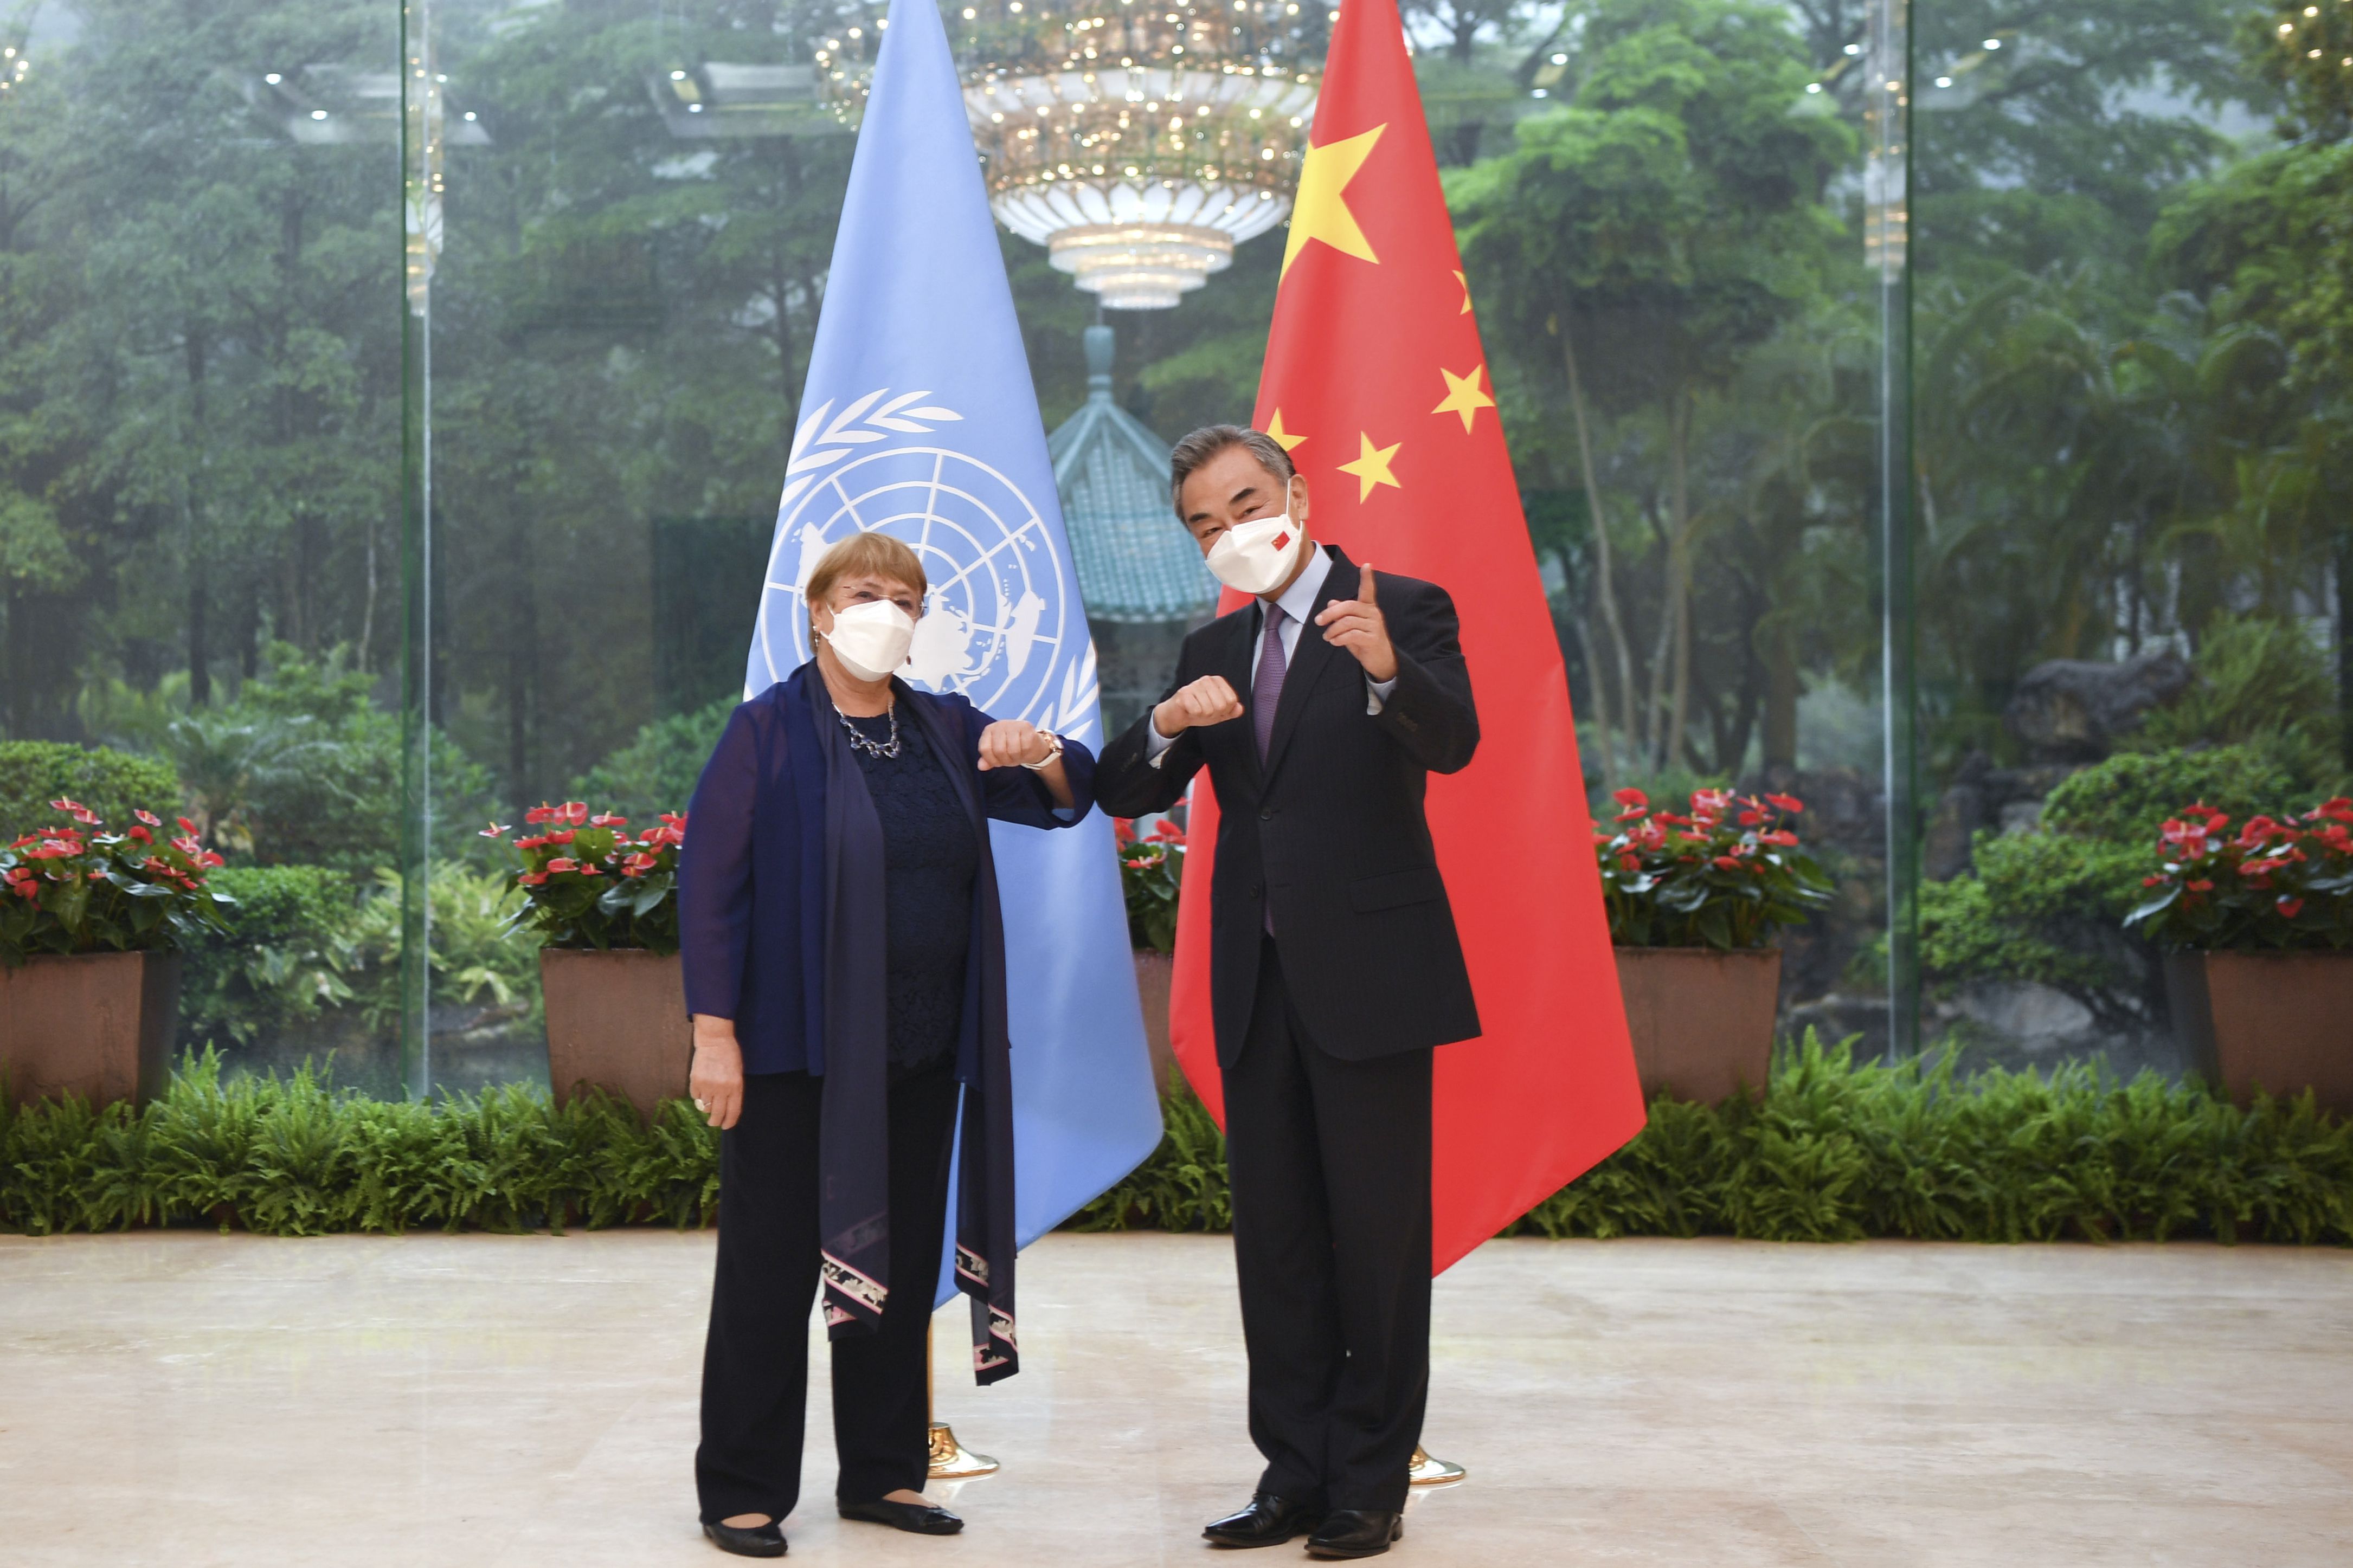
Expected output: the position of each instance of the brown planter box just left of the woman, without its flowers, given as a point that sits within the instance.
(618, 1021)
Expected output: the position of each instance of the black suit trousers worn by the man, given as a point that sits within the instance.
(1333, 1245)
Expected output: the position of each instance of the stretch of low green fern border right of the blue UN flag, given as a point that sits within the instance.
(1839, 1151)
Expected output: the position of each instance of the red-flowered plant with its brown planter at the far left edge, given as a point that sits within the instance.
(91, 932)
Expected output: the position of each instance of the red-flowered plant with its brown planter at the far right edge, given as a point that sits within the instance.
(2258, 934)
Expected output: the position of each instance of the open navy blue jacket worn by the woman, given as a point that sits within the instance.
(752, 899)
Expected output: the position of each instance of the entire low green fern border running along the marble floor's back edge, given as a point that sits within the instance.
(1829, 1153)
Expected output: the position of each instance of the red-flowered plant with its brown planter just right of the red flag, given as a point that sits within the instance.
(1693, 909)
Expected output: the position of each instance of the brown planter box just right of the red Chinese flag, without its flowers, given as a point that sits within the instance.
(1700, 1019)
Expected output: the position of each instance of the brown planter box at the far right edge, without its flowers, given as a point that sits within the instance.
(2277, 1021)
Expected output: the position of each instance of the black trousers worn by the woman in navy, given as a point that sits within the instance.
(756, 1358)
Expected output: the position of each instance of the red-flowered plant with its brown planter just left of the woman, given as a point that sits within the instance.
(606, 906)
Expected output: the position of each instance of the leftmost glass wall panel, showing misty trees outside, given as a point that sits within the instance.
(199, 532)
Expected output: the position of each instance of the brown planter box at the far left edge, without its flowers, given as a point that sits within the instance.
(88, 1024)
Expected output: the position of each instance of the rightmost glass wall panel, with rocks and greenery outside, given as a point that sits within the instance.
(2131, 436)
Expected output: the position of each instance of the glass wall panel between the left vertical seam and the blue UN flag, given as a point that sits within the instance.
(620, 227)
